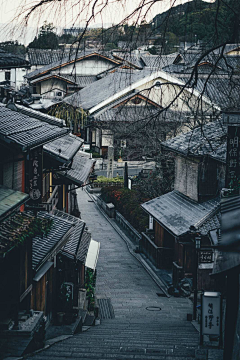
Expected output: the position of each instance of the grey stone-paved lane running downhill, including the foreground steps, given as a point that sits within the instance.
(135, 332)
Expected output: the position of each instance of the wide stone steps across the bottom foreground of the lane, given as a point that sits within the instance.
(136, 339)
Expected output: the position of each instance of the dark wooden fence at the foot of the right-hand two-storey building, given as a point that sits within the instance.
(161, 257)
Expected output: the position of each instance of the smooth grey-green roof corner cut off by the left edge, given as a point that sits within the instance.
(10, 199)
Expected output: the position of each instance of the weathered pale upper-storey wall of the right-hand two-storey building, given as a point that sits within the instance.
(186, 177)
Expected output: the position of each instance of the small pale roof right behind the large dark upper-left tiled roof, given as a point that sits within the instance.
(64, 148)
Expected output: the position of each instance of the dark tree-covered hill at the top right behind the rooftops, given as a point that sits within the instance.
(216, 22)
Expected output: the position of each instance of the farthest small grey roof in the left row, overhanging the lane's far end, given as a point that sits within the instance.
(80, 170)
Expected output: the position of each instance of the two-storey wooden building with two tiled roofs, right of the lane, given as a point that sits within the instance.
(193, 204)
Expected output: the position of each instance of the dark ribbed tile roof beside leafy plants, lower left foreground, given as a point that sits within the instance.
(43, 246)
